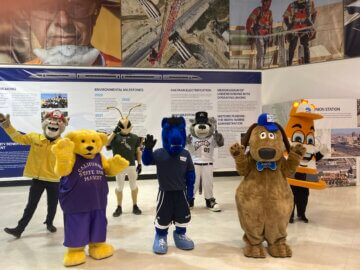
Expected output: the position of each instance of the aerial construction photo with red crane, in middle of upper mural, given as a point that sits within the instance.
(175, 33)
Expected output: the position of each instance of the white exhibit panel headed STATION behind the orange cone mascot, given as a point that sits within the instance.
(338, 131)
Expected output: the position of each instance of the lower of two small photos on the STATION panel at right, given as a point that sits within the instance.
(338, 172)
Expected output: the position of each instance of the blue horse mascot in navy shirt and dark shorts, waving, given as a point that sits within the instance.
(176, 176)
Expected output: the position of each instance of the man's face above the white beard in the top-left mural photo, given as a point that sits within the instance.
(63, 22)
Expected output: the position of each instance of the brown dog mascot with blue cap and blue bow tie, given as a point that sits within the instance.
(264, 199)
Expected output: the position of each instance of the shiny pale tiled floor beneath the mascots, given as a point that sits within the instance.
(331, 240)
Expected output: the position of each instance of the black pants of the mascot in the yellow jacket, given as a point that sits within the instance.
(36, 189)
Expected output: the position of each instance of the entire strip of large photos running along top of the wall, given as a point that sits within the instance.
(215, 34)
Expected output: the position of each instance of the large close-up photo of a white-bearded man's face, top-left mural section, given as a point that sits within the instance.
(62, 32)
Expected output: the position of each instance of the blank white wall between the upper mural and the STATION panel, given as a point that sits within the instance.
(335, 79)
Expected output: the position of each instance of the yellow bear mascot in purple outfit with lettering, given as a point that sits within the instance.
(83, 193)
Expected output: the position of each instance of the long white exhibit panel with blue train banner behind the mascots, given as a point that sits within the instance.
(84, 95)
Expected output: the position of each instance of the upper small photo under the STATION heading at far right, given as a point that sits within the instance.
(345, 142)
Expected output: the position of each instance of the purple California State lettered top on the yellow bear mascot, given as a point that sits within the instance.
(85, 188)
